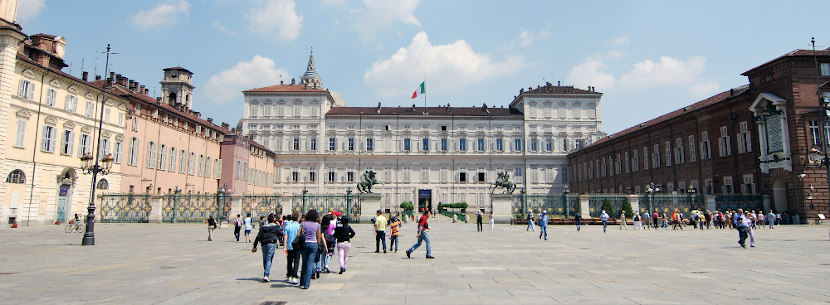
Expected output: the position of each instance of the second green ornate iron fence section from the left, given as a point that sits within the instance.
(189, 207)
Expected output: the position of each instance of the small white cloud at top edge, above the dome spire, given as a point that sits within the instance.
(276, 16)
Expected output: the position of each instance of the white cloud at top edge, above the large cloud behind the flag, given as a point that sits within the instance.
(380, 15)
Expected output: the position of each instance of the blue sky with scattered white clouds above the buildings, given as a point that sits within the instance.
(646, 57)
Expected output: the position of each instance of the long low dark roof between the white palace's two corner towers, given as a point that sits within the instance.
(419, 111)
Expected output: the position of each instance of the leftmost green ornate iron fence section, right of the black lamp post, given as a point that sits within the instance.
(125, 207)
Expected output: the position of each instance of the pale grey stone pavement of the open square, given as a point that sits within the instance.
(175, 264)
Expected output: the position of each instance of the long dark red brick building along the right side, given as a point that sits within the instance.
(754, 139)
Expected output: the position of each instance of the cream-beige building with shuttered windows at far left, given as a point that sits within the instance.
(49, 120)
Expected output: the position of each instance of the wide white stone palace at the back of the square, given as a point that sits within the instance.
(423, 155)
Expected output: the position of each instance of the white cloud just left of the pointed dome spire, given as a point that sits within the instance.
(258, 72)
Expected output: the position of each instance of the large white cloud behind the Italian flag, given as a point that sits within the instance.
(448, 67)
